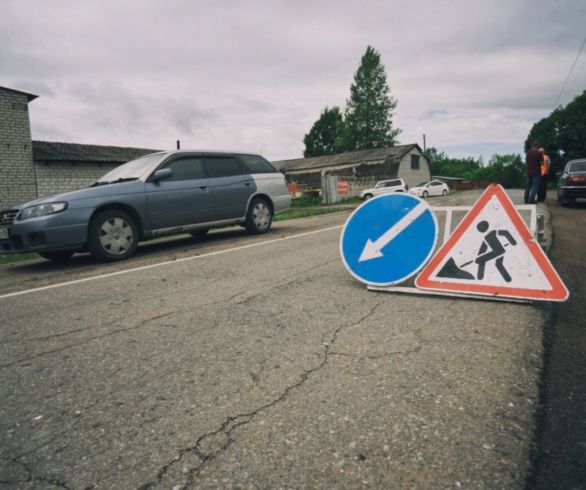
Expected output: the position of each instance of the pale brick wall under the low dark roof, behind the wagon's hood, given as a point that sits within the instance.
(57, 177)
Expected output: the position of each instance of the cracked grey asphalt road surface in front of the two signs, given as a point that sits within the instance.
(263, 367)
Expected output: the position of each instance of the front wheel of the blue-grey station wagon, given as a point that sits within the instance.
(113, 235)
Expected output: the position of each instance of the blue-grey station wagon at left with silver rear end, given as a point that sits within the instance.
(159, 194)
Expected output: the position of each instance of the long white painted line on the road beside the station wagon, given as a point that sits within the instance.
(168, 262)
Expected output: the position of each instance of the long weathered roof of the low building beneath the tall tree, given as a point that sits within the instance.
(359, 157)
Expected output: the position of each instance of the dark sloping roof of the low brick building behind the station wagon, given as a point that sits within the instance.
(49, 151)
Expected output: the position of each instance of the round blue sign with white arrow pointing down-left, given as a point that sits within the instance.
(388, 239)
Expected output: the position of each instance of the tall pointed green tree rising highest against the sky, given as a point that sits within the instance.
(368, 114)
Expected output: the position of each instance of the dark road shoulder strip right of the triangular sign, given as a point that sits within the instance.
(561, 455)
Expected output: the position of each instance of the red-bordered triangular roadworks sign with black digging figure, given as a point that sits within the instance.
(492, 253)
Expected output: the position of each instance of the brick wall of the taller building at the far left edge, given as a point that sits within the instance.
(17, 178)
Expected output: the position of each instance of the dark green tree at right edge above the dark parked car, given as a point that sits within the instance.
(562, 132)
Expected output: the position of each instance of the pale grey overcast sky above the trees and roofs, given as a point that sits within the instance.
(254, 75)
